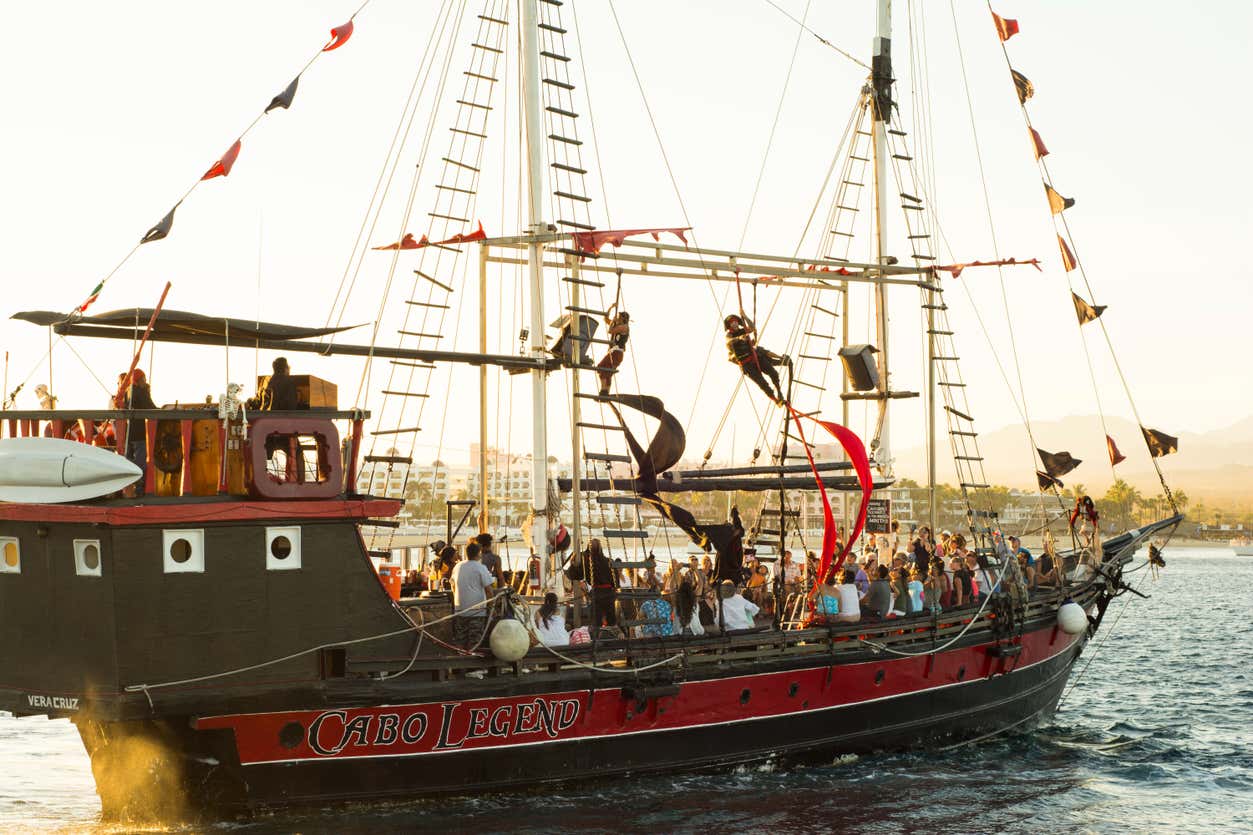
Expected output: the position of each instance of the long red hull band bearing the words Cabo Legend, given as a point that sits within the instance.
(449, 727)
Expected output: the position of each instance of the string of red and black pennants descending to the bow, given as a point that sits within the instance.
(1058, 465)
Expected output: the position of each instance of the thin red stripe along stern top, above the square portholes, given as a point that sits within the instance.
(200, 512)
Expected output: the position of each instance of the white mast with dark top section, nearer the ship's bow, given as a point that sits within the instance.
(881, 82)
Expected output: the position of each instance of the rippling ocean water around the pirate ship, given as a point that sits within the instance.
(1157, 738)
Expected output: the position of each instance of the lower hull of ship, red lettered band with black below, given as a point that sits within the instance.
(234, 764)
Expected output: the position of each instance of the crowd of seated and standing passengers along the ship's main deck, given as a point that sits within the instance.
(885, 580)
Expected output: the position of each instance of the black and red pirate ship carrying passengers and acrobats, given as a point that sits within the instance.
(224, 644)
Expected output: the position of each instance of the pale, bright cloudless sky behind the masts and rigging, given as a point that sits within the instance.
(113, 111)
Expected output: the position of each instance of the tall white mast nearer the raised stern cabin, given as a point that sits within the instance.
(533, 118)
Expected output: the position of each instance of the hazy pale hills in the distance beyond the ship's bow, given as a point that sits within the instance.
(1215, 466)
